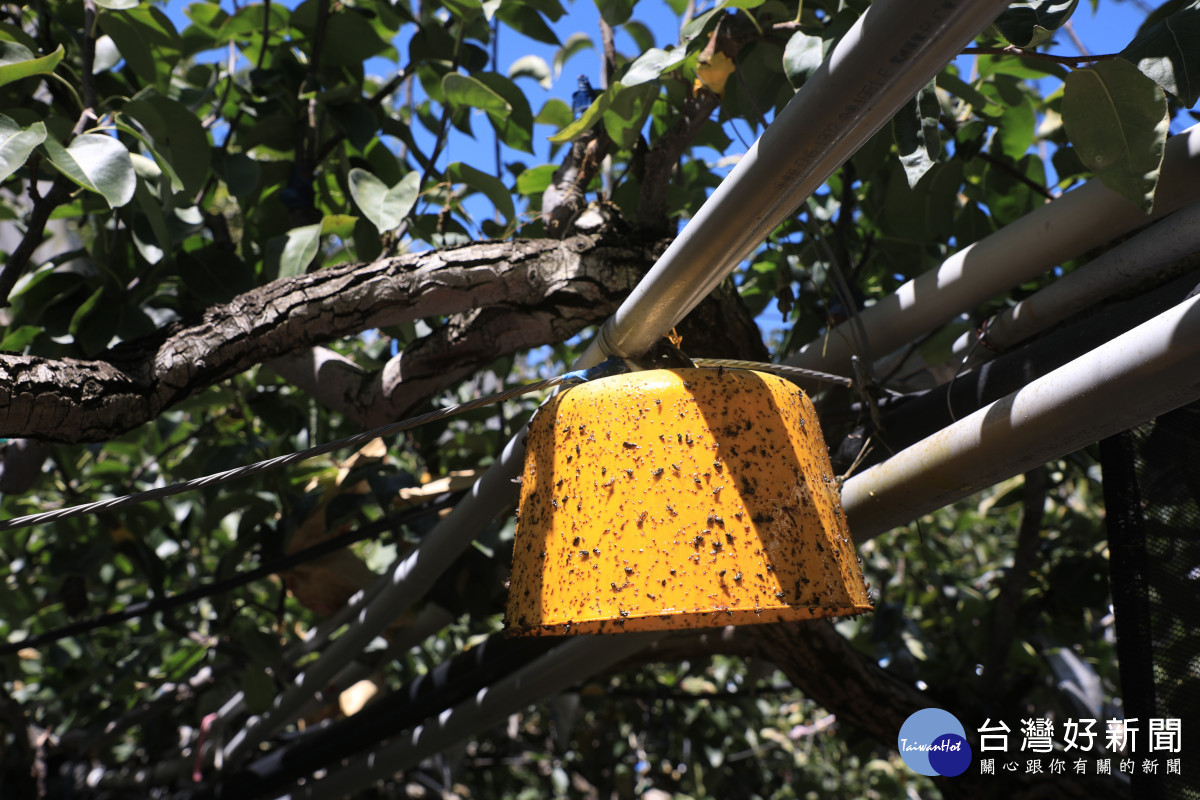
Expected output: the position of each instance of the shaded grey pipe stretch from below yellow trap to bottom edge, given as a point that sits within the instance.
(562, 667)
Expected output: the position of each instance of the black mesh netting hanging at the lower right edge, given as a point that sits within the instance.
(1153, 498)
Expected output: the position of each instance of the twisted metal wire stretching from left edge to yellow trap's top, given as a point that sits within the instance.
(279, 461)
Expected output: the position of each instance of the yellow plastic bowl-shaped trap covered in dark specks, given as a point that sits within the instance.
(707, 501)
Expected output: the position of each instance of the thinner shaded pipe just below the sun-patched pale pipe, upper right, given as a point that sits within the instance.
(1132, 261)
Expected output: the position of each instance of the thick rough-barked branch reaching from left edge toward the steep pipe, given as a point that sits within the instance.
(535, 292)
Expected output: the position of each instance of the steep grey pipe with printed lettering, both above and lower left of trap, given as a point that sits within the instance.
(895, 49)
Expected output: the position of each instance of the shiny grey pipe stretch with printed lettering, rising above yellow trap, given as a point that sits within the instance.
(893, 51)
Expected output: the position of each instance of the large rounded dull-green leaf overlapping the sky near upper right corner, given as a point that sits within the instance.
(1118, 121)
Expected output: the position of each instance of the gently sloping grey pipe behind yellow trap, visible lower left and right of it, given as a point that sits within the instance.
(1138, 376)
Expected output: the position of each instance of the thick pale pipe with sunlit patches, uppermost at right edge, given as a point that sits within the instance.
(1078, 221)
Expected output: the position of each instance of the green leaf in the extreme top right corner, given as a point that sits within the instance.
(1167, 53)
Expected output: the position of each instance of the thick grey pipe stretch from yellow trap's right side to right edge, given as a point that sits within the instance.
(1143, 374)
